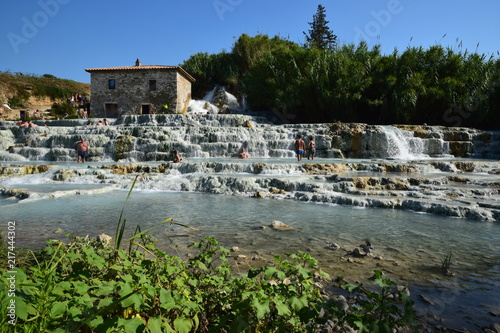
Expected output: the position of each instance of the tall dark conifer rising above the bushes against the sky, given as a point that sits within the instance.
(320, 35)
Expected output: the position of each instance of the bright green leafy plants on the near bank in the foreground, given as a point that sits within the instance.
(88, 285)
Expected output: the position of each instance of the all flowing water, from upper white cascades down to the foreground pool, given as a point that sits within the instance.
(409, 247)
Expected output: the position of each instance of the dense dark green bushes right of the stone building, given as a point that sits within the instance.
(353, 83)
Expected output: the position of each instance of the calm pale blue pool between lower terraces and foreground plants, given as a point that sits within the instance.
(409, 247)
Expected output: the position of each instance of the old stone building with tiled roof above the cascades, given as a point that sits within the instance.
(139, 89)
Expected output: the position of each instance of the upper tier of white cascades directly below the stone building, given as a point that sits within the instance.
(153, 137)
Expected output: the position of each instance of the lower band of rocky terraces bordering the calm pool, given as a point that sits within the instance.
(463, 189)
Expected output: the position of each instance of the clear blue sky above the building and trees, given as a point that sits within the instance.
(63, 37)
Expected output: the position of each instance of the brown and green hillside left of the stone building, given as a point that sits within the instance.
(23, 90)
